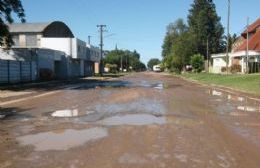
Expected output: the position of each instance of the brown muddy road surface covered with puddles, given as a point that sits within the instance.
(141, 120)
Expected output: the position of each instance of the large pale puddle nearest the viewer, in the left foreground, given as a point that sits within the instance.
(62, 140)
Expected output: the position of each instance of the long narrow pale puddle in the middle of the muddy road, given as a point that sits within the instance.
(133, 119)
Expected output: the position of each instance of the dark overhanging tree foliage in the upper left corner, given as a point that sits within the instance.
(7, 7)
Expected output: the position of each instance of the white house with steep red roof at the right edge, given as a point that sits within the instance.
(238, 57)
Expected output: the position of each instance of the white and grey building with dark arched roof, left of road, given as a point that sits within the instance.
(54, 47)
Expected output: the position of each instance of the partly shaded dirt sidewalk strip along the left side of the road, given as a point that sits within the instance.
(20, 92)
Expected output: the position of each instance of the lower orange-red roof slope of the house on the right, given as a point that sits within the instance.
(253, 43)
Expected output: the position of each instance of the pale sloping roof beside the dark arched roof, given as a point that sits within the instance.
(28, 27)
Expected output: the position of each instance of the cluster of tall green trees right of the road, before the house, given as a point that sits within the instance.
(202, 35)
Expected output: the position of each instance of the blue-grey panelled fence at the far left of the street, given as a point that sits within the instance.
(17, 71)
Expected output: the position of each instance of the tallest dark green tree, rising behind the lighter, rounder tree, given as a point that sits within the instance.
(205, 24)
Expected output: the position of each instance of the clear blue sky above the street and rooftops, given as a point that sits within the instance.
(131, 24)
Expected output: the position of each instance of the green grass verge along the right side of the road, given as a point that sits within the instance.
(248, 83)
